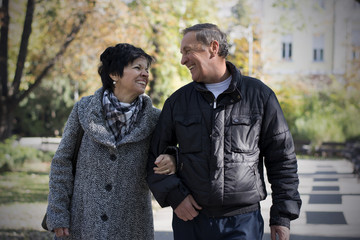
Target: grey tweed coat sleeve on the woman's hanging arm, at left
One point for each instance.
(61, 177)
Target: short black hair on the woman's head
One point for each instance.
(114, 59)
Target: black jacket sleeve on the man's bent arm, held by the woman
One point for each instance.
(168, 190)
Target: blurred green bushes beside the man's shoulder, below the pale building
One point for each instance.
(330, 113)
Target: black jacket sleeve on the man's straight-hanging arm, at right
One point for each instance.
(278, 150)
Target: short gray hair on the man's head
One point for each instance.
(208, 32)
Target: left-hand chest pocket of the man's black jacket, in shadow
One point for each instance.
(188, 132)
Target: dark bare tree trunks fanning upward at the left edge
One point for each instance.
(10, 98)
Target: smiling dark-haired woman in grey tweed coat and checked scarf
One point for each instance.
(108, 197)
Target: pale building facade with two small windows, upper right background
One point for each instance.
(307, 38)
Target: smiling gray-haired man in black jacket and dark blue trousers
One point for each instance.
(226, 126)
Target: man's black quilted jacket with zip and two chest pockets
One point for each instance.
(222, 151)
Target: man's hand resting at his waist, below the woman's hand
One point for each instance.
(188, 209)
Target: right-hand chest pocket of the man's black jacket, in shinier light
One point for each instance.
(245, 131)
